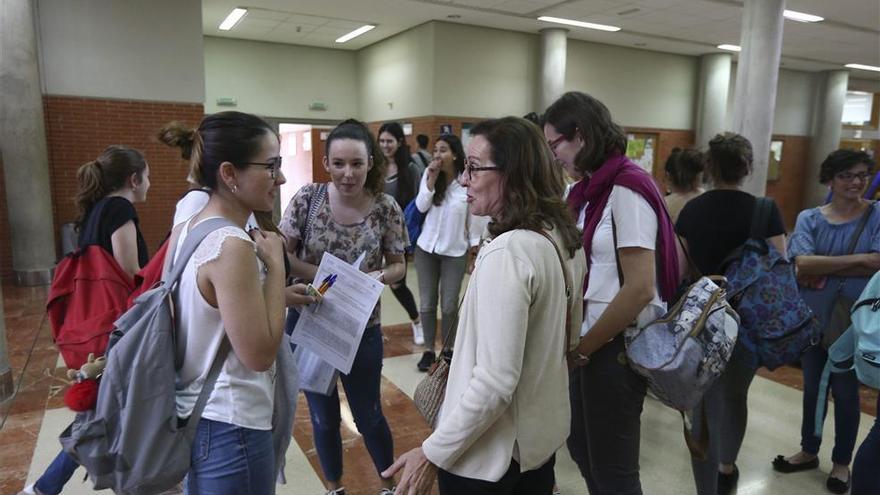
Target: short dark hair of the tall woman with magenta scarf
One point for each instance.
(575, 111)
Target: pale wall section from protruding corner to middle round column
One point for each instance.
(481, 72)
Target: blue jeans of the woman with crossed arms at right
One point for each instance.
(845, 389)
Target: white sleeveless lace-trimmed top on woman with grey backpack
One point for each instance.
(240, 397)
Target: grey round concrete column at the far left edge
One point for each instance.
(23, 143)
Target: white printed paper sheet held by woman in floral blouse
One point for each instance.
(333, 329)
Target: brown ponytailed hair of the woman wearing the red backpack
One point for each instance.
(104, 175)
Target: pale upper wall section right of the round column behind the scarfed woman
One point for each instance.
(641, 88)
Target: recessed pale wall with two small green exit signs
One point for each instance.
(280, 80)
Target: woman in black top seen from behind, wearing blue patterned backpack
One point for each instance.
(711, 226)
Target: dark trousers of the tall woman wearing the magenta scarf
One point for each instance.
(612, 396)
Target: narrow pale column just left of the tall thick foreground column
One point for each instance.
(712, 97)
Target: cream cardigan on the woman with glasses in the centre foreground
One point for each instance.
(507, 394)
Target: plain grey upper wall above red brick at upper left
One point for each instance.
(134, 49)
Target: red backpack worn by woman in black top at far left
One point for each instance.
(88, 293)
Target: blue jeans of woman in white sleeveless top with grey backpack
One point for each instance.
(231, 460)
